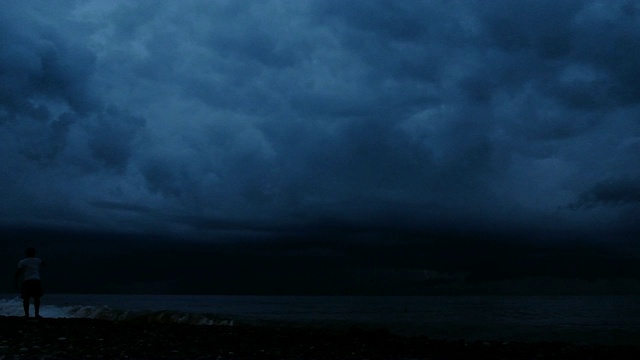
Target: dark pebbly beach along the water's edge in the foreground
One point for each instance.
(96, 339)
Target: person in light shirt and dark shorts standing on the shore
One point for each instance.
(29, 270)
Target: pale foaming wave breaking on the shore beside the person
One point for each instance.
(13, 307)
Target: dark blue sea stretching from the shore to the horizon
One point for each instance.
(596, 320)
